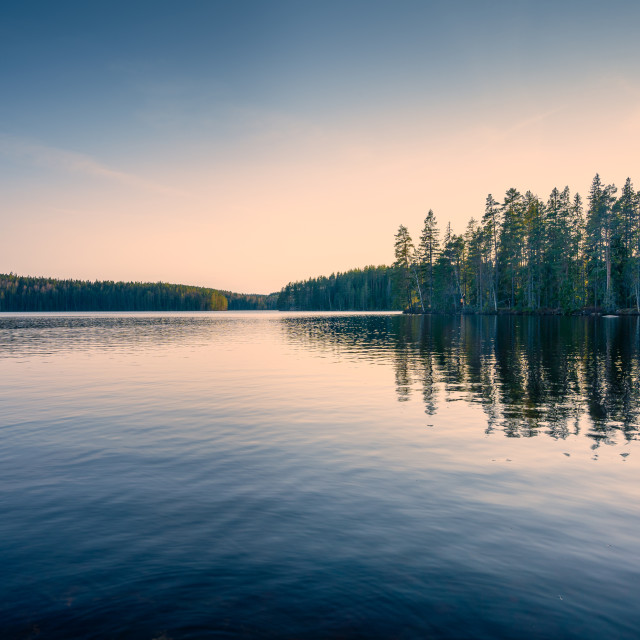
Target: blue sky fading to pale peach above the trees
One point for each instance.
(242, 145)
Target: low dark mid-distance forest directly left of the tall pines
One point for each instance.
(368, 289)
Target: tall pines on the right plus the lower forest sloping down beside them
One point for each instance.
(523, 255)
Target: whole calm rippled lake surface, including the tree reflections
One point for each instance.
(319, 476)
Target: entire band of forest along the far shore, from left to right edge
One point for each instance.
(524, 255)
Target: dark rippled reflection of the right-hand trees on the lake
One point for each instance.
(531, 375)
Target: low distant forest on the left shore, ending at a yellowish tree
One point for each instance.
(19, 293)
